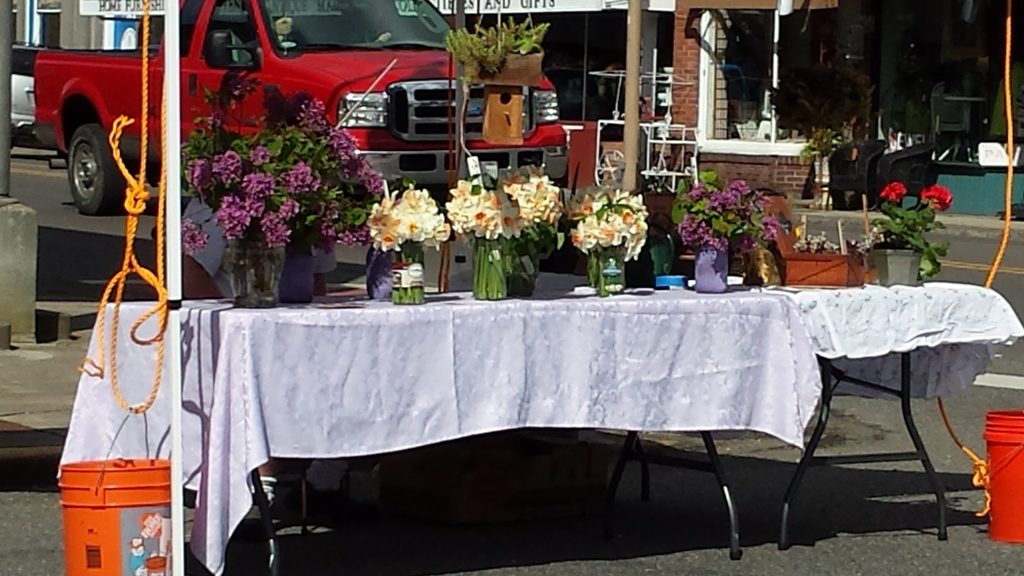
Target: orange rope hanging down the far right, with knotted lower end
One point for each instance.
(983, 473)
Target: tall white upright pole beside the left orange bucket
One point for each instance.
(173, 163)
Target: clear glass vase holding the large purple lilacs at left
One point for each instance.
(254, 271)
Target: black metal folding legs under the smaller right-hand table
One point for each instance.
(831, 379)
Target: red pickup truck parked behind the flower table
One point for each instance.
(333, 50)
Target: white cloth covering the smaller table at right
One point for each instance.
(950, 330)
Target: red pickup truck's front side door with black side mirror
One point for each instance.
(229, 52)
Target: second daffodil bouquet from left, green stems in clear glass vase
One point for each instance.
(490, 219)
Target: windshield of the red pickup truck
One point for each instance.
(325, 25)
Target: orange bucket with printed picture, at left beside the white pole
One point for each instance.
(117, 518)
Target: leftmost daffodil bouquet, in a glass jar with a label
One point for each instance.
(407, 225)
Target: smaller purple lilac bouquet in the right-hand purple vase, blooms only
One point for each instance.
(723, 217)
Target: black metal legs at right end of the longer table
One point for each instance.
(633, 450)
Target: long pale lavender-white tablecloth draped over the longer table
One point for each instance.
(320, 383)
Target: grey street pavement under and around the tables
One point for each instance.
(849, 521)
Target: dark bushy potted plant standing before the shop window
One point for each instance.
(829, 105)
